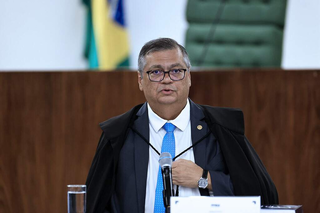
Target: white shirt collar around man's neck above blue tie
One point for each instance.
(181, 121)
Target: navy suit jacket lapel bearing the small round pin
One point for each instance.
(199, 129)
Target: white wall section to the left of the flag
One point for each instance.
(41, 34)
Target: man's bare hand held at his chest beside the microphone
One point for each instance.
(186, 173)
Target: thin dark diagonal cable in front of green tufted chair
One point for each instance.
(211, 33)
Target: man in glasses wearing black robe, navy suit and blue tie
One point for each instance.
(212, 154)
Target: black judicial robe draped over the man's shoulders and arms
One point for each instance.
(248, 174)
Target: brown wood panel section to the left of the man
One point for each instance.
(49, 132)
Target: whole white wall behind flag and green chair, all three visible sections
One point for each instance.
(50, 34)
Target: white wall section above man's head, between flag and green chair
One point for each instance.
(153, 19)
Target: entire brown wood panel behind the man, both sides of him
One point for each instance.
(49, 128)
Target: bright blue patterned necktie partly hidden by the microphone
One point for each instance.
(168, 145)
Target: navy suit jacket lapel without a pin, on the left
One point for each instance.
(141, 154)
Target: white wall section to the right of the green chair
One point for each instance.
(302, 35)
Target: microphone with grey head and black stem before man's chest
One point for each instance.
(165, 162)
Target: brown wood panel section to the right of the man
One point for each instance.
(282, 117)
